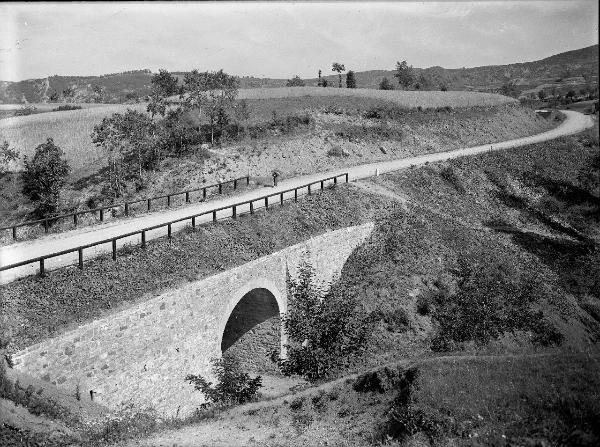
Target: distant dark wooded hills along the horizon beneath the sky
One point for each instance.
(572, 69)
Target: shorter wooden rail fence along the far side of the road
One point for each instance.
(126, 206)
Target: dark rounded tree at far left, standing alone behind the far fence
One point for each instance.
(44, 175)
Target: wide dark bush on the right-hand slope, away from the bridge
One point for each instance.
(494, 297)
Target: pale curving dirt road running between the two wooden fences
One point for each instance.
(575, 122)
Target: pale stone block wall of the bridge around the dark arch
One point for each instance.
(143, 352)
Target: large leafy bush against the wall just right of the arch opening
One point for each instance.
(325, 327)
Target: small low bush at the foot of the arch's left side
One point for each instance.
(233, 386)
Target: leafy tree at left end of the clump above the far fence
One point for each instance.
(130, 140)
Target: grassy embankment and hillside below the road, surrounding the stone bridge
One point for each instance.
(455, 243)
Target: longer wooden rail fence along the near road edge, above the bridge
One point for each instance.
(193, 217)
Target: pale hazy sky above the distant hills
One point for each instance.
(283, 39)
